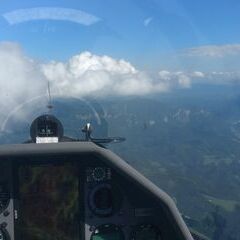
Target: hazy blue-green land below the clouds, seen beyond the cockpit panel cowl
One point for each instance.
(187, 142)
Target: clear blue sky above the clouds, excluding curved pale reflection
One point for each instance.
(148, 33)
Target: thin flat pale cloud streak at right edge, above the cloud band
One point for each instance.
(214, 51)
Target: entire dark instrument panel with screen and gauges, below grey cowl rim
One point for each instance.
(63, 198)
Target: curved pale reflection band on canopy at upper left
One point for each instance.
(50, 13)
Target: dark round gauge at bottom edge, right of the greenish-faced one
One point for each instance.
(146, 232)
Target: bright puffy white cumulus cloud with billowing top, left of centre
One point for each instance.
(89, 74)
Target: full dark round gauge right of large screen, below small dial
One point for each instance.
(104, 200)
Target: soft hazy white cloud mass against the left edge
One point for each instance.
(20, 78)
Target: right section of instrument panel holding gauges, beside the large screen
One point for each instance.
(113, 213)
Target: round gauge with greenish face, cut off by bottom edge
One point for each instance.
(107, 232)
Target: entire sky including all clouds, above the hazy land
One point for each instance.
(106, 48)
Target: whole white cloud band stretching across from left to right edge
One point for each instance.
(22, 79)
